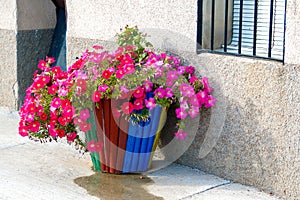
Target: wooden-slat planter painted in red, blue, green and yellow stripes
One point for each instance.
(127, 147)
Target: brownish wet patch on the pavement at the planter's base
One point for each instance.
(111, 187)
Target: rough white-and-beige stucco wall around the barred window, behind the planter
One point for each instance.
(253, 132)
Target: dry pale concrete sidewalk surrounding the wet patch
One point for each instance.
(30, 170)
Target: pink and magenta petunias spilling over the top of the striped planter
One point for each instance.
(140, 79)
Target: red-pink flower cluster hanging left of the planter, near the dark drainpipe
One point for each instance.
(47, 112)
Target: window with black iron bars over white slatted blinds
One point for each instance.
(242, 27)
